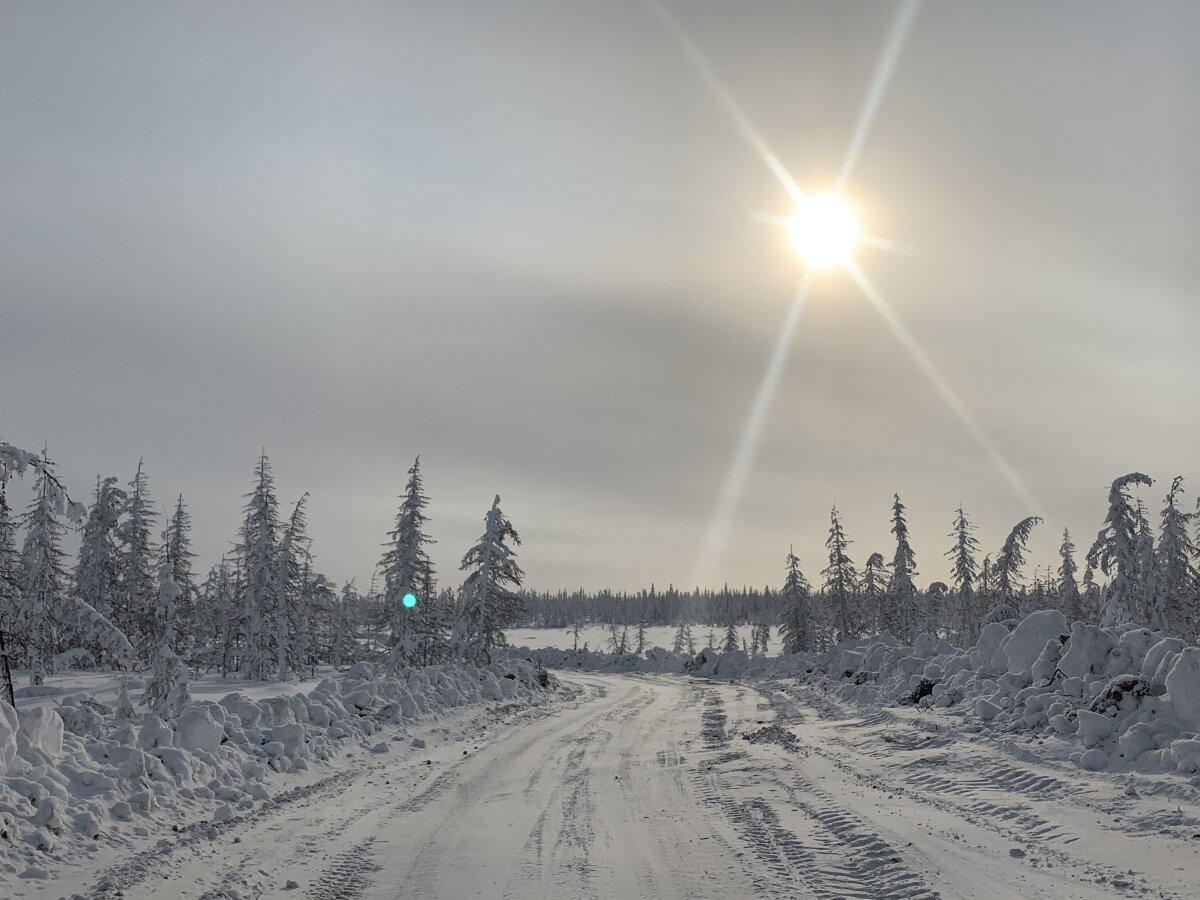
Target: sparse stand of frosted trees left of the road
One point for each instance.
(135, 599)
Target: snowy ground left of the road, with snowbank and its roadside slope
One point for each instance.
(89, 790)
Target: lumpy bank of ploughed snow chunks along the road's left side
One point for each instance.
(81, 771)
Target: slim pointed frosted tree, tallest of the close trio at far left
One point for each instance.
(134, 604)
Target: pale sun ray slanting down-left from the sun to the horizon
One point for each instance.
(718, 532)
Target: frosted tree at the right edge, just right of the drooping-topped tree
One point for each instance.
(1175, 608)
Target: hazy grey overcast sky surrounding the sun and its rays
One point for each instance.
(519, 239)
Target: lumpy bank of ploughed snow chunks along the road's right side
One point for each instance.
(1127, 698)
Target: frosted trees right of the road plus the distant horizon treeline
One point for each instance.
(1133, 573)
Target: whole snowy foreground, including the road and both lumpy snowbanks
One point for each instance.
(1048, 761)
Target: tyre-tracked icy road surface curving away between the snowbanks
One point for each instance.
(647, 788)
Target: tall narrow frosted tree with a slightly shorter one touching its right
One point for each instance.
(257, 563)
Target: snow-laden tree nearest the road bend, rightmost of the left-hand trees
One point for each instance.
(488, 602)
